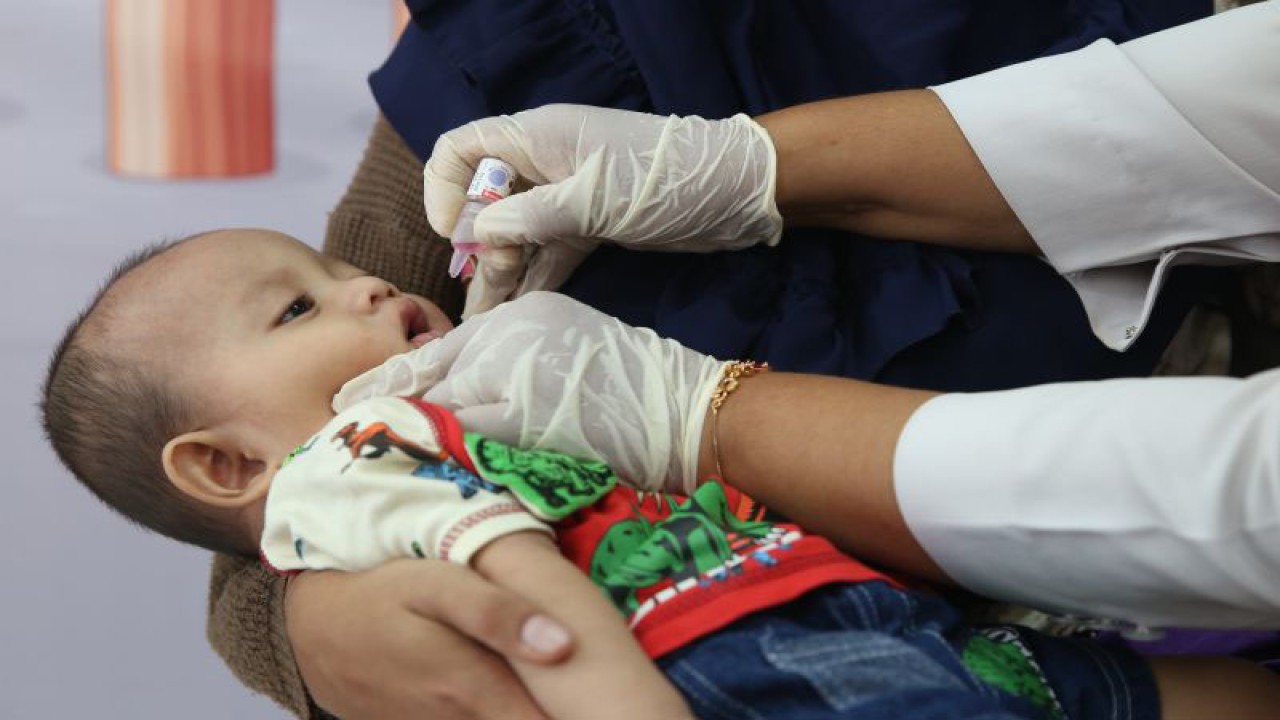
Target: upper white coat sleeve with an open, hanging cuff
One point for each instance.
(1126, 161)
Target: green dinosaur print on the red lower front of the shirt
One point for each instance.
(696, 539)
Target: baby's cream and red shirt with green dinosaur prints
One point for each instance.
(400, 477)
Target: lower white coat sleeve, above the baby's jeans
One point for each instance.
(1150, 500)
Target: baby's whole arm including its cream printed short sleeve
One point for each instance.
(376, 485)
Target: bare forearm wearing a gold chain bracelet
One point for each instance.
(821, 452)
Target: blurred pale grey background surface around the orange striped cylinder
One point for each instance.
(98, 619)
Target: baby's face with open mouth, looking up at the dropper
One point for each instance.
(267, 330)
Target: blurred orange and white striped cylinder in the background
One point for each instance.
(190, 88)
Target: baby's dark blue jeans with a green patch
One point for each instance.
(871, 651)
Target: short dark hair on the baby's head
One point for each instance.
(109, 420)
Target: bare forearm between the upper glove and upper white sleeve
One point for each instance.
(892, 165)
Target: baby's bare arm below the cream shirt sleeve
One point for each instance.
(609, 676)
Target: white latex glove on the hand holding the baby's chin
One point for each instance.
(547, 372)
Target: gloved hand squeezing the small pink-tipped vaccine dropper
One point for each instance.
(647, 183)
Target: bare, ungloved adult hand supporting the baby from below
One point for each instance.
(417, 639)
